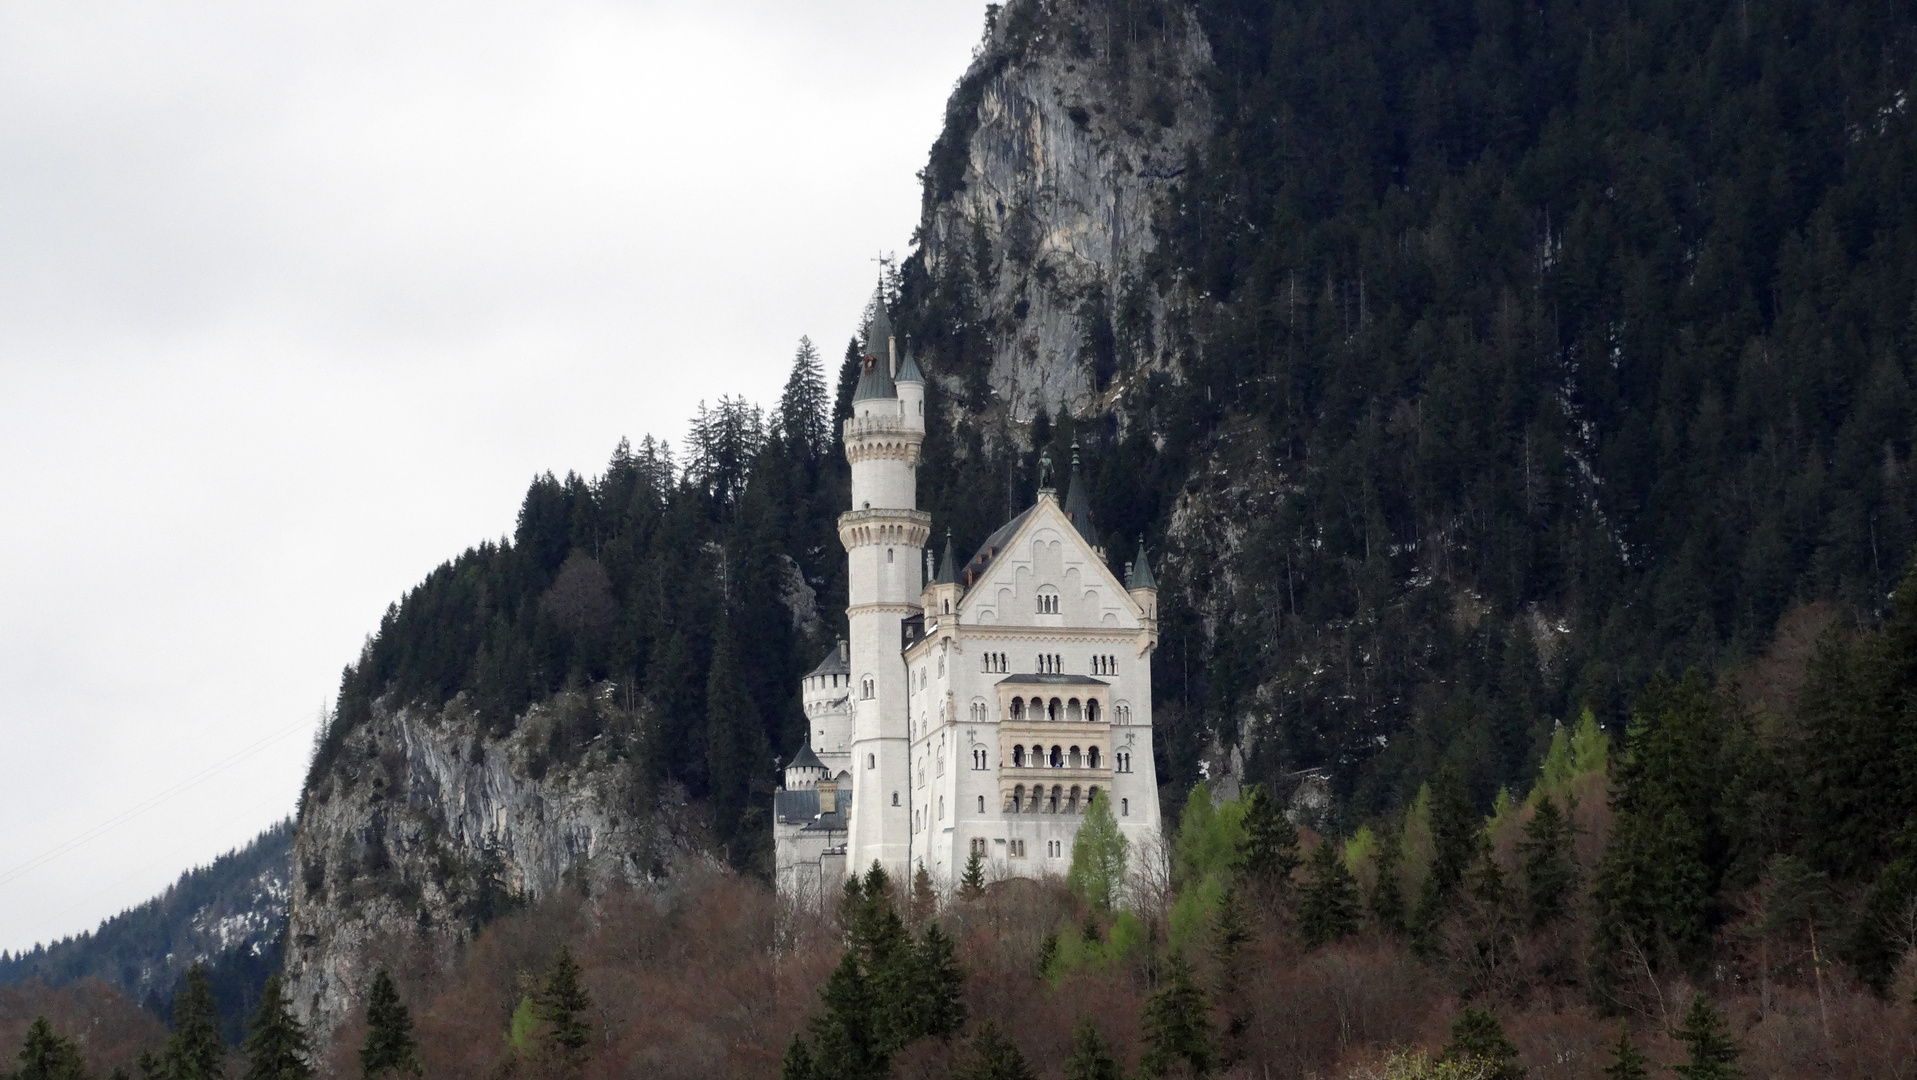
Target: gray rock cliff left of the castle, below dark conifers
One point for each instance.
(425, 826)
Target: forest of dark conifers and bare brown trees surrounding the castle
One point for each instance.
(1559, 364)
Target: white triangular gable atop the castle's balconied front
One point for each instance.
(1046, 557)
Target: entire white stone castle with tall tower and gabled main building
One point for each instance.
(977, 713)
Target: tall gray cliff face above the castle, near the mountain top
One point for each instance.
(1076, 139)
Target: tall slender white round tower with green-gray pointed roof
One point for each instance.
(885, 538)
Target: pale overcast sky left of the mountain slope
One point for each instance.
(294, 302)
